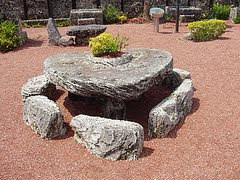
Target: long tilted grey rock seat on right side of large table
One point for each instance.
(166, 115)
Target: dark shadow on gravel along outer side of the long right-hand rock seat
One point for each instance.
(195, 107)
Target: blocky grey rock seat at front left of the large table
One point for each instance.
(44, 117)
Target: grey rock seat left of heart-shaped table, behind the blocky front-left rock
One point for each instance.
(39, 85)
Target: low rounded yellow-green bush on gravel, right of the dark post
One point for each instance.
(207, 30)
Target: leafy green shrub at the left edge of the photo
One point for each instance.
(9, 38)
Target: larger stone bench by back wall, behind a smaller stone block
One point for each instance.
(76, 14)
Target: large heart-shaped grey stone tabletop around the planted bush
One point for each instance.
(123, 78)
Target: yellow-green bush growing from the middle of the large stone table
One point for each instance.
(105, 44)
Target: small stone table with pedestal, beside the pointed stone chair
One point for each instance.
(85, 32)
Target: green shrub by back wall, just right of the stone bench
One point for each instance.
(111, 14)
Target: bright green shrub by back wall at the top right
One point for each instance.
(220, 11)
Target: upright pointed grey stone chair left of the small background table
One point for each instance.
(54, 37)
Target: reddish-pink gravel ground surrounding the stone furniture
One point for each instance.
(206, 146)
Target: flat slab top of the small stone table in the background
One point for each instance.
(92, 30)
